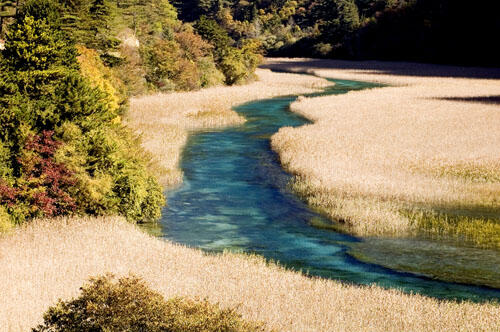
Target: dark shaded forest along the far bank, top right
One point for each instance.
(439, 31)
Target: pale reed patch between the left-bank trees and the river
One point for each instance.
(164, 120)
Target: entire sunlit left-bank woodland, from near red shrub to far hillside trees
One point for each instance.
(67, 69)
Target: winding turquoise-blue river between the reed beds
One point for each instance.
(235, 197)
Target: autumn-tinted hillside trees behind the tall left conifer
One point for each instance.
(148, 46)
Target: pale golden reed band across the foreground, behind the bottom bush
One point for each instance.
(51, 259)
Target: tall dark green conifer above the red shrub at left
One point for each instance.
(40, 84)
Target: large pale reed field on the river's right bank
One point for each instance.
(422, 153)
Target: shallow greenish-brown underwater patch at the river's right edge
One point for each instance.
(447, 261)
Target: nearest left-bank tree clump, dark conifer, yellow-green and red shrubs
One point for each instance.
(63, 148)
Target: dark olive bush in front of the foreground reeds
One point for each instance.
(129, 305)
